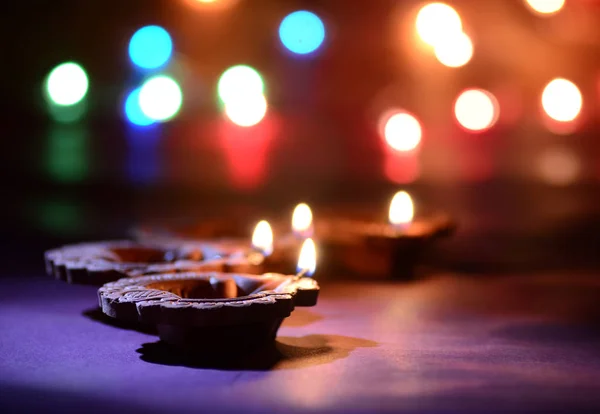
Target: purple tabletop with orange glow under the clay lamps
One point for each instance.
(449, 344)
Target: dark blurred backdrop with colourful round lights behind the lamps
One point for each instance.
(125, 112)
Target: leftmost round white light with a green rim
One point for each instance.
(67, 84)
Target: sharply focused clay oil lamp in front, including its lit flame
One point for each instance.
(213, 310)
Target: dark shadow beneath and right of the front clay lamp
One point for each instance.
(286, 353)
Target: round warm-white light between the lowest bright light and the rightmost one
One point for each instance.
(476, 110)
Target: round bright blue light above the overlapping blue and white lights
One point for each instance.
(150, 47)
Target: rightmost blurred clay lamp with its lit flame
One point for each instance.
(381, 249)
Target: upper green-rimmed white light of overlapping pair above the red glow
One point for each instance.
(239, 82)
